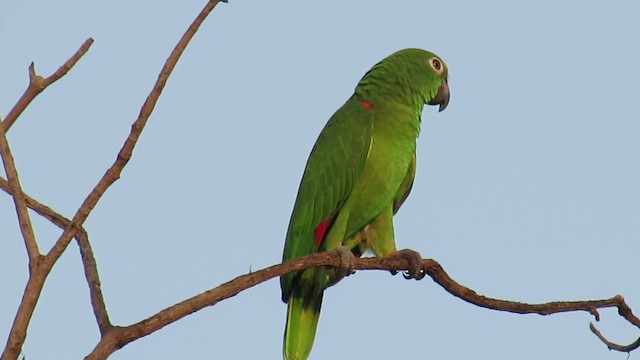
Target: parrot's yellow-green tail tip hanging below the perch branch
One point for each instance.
(302, 321)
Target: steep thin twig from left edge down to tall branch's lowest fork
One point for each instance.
(19, 201)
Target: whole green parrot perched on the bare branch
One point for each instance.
(359, 173)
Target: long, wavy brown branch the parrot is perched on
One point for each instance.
(119, 336)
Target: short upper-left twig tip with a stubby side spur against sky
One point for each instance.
(37, 84)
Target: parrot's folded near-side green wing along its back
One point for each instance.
(335, 163)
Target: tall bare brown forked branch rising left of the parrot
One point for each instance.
(44, 264)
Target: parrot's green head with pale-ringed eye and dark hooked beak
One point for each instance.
(422, 77)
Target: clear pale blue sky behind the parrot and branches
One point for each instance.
(527, 185)
